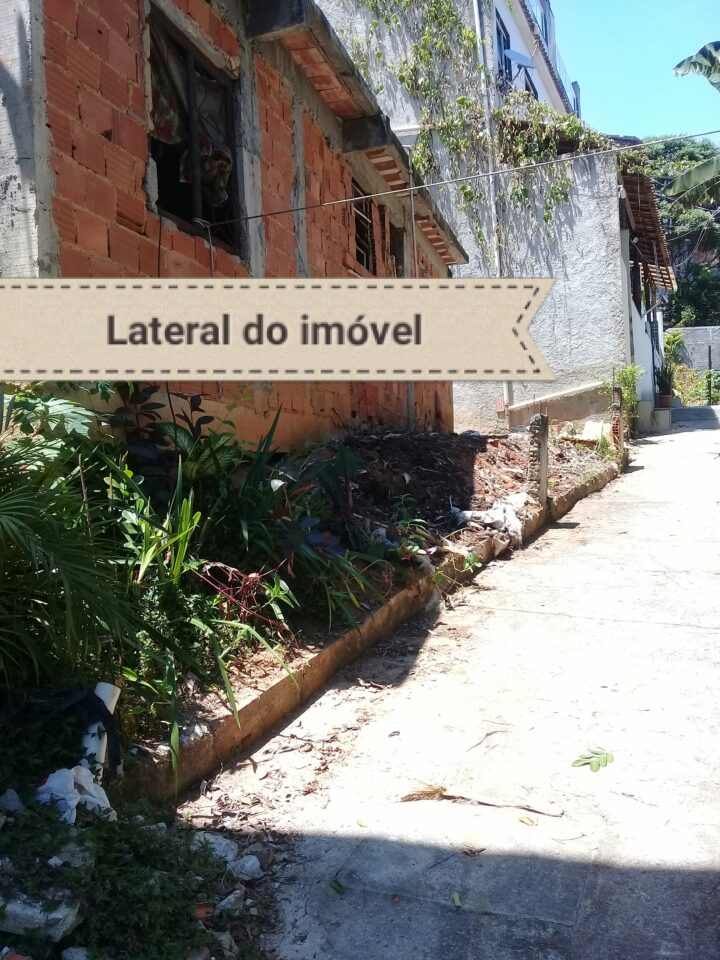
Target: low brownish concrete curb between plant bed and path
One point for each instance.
(212, 743)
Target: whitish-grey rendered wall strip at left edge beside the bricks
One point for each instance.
(26, 239)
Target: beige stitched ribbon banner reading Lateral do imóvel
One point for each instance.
(271, 329)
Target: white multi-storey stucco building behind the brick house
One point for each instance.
(604, 246)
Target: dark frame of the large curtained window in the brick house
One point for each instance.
(194, 58)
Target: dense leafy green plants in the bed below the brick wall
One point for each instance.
(138, 549)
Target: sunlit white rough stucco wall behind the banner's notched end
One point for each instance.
(581, 327)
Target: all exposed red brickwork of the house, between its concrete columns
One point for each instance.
(96, 115)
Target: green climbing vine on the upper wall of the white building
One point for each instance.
(441, 72)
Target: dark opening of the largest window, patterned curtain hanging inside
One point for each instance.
(192, 137)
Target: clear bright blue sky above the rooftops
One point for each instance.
(622, 53)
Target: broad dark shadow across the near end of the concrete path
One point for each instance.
(386, 900)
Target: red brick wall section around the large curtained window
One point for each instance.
(99, 137)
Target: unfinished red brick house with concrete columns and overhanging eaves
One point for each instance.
(167, 138)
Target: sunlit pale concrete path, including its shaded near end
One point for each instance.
(603, 633)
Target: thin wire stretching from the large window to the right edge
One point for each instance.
(527, 168)
